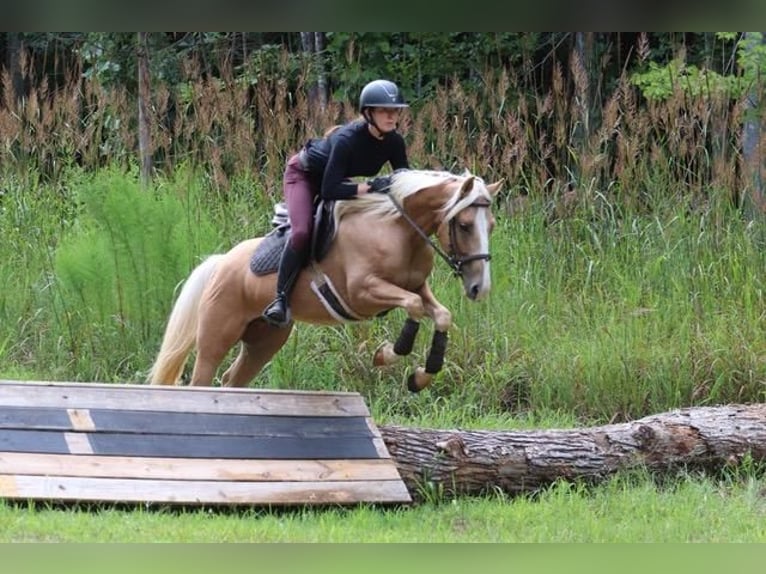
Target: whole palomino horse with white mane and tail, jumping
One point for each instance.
(381, 257)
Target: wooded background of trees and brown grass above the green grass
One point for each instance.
(519, 76)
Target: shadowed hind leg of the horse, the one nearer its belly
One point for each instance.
(259, 343)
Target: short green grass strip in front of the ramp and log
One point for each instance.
(630, 508)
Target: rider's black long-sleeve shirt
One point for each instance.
(352, 151)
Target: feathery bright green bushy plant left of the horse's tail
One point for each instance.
(116, 272)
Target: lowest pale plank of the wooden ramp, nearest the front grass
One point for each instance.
(201, 492)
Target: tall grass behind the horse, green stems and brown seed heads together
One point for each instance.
(625, 280)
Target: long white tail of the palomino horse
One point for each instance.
(181, 332)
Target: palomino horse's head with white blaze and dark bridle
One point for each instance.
(465, 232)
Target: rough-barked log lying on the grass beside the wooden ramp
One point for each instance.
(476, 462)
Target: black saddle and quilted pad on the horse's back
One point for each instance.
(265, 258)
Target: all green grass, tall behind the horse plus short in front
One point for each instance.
(590, 320)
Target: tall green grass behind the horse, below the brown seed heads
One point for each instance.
(609, 314)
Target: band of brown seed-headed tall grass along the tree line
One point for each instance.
(243, 125)
